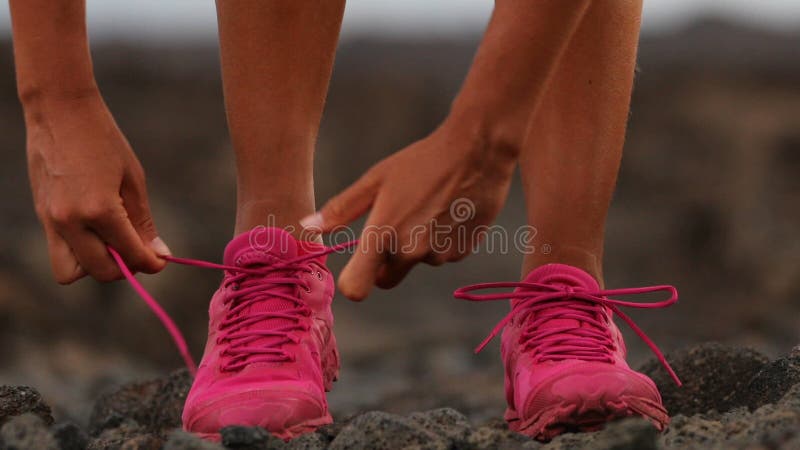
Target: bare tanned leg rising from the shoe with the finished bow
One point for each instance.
(572, 152)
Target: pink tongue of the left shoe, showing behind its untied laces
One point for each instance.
(262, 248)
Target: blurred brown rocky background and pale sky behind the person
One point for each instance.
(708, 197)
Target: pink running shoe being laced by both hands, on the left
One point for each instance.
(271, 353)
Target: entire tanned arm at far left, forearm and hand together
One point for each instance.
(88, 186)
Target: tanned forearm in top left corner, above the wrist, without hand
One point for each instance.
(51, 50)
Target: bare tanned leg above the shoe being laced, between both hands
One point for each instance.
(276, 63)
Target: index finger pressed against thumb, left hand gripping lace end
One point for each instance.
(117, 231)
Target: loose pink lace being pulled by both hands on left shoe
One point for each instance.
(233, 327)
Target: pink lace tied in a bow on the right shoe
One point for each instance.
(591, 343)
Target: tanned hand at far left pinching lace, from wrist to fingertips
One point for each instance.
(89, 190)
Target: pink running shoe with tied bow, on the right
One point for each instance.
(564, 357)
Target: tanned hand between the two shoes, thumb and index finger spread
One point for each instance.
(411, 195)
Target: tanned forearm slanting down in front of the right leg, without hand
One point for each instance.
(519, 52)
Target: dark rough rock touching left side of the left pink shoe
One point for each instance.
(155, 404)
